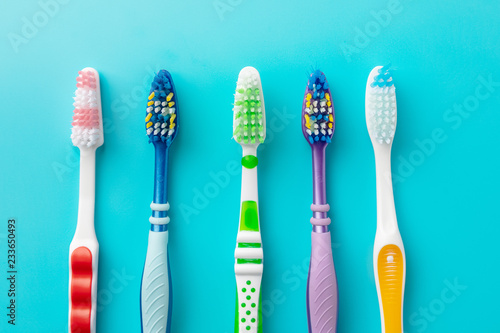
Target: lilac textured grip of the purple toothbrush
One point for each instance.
(322, 293)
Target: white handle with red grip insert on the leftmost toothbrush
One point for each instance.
(83, 286)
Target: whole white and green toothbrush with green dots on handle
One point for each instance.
(249, 128)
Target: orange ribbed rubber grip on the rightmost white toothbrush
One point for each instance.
(390, 265)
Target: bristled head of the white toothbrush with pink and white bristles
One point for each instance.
(87, 130)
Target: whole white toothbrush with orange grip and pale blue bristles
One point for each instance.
(388, 252)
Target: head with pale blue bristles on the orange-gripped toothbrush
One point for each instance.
(380, 105)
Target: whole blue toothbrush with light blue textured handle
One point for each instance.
(161, 128)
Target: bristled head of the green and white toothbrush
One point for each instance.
(249, 121)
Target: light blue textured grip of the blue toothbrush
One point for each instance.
(155, 286)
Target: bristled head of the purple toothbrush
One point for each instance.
(318, 116)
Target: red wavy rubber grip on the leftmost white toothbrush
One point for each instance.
(81, 290)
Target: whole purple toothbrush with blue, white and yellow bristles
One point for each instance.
(318, 124)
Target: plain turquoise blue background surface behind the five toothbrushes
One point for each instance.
(446, 190)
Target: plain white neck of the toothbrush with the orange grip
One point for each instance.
(386, 213)
